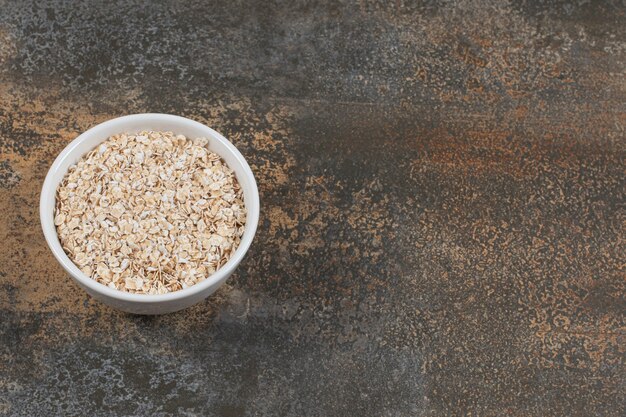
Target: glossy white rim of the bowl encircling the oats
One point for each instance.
(50, 234)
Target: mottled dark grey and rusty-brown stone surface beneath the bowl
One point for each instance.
(442, 227)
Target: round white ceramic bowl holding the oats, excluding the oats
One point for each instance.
(140, 303)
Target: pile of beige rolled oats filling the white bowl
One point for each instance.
(150, 213)
